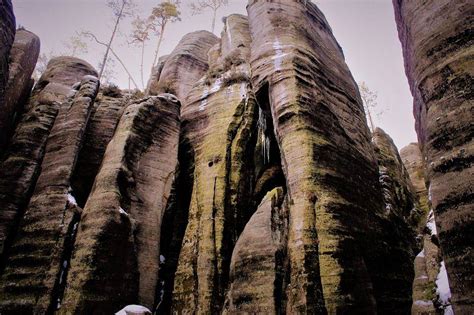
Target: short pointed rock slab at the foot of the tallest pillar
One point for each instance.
(257, 271)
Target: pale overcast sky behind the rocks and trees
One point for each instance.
(365, 29)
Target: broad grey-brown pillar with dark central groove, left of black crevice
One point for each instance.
(123, 214)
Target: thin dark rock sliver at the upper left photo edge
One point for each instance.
(7, 35)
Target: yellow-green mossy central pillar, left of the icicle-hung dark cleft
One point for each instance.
(219, 119)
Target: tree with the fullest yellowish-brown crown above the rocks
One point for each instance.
(167, 11)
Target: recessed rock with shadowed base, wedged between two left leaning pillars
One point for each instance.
(104, 119)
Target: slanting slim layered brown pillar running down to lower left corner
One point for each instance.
(36, 267)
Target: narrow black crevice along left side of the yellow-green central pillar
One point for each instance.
(175, 221)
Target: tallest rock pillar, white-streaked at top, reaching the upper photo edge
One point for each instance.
(325, 152)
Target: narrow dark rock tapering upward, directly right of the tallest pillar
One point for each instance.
(402, 214)
